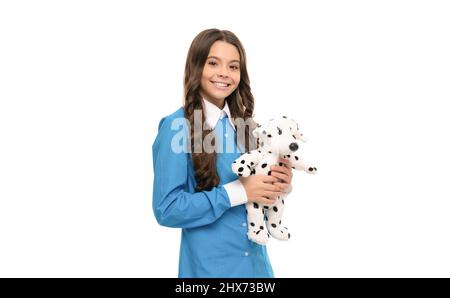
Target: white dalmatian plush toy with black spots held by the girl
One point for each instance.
(278, 137)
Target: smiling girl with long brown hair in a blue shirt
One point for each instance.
(194, 188)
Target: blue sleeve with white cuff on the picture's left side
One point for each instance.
(173, 206)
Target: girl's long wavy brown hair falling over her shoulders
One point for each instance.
(240, 102)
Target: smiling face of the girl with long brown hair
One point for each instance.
(221, 66)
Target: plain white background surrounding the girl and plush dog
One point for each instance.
(83, 85)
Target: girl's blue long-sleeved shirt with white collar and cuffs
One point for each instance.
(214, 239)
